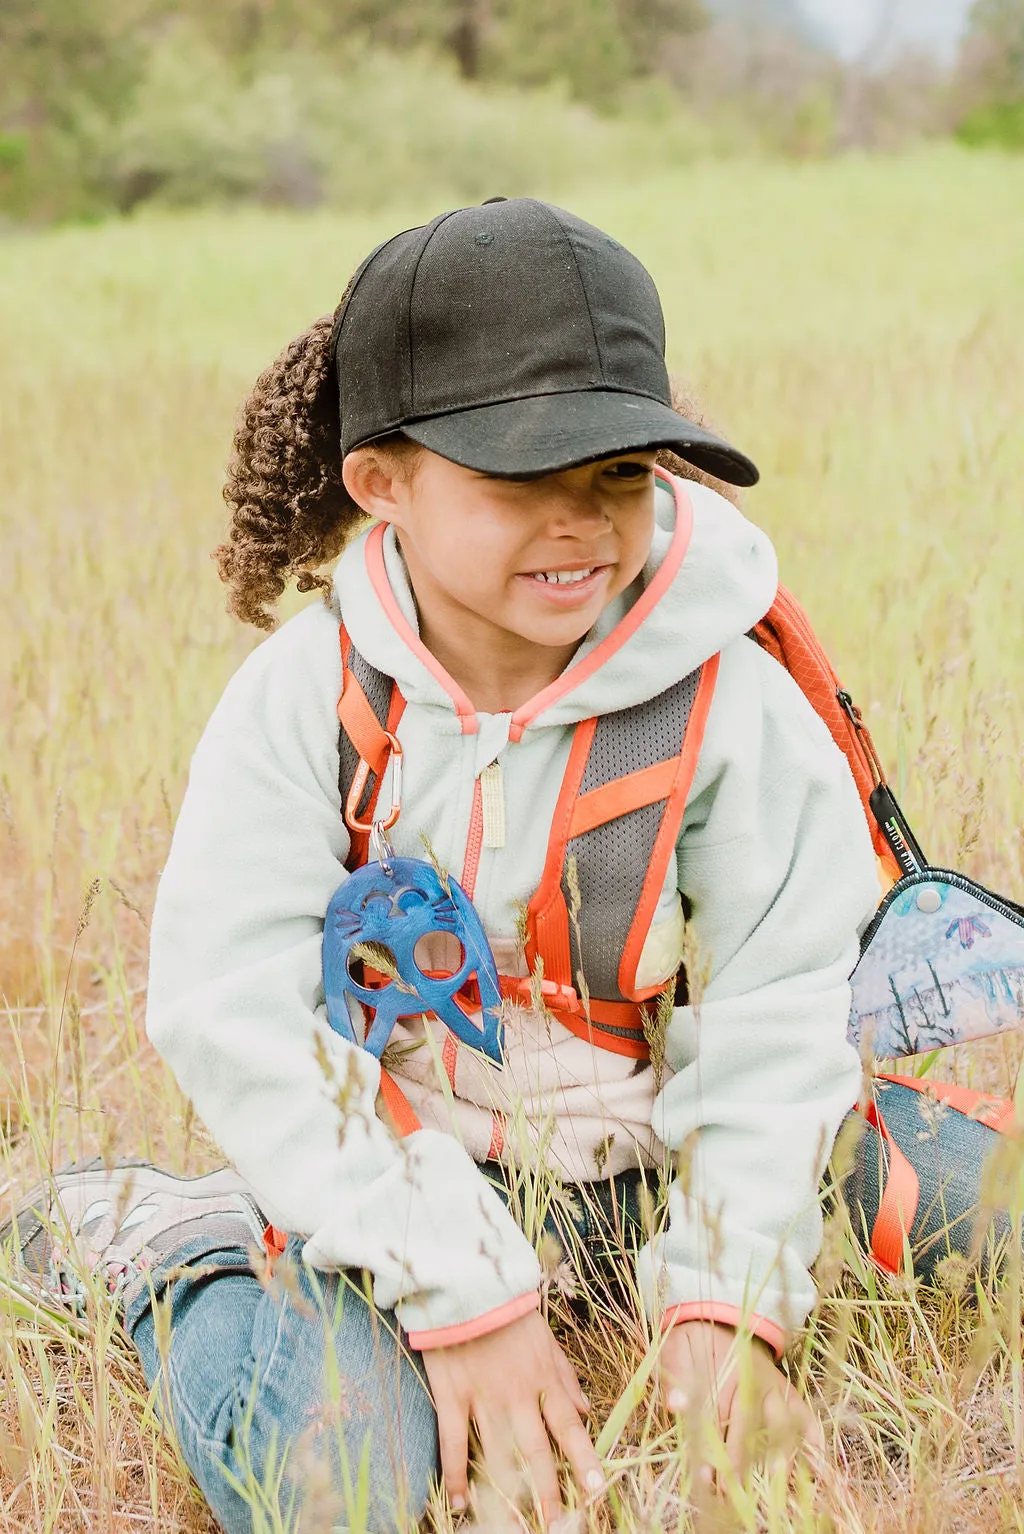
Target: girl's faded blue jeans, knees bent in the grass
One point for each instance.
(301, 1398)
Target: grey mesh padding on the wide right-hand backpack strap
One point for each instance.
(614, 858)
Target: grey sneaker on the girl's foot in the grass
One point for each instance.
(122, 1222)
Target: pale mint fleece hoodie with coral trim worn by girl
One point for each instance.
(773, 858)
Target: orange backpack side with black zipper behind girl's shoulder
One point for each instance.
(786, 633)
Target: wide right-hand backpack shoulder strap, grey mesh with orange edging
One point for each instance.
(608, 858)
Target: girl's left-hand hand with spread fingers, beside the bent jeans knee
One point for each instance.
(517, 1388)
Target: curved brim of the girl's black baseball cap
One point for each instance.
(556, 432)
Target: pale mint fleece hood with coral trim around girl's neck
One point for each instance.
(709, 579)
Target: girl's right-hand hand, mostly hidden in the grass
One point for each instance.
(755, 1414)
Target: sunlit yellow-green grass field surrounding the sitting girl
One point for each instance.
(859, 329)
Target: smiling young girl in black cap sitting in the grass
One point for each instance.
(481, 433)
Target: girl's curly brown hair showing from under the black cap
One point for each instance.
(290, 510)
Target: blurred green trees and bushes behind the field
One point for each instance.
(107, 105)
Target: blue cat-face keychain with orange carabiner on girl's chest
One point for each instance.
(393, 904)
